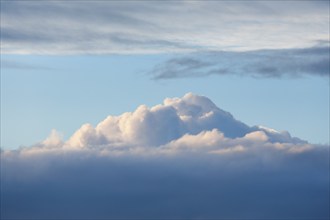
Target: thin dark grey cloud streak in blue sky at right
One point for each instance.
(279, 63)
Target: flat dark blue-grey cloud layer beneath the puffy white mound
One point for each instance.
(82, 186)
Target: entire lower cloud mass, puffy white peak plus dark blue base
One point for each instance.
(185, 158)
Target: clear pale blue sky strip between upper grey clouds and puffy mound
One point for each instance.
(63, 92)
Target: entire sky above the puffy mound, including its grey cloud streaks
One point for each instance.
(81, 62)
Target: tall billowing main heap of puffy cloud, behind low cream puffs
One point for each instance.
(163, 123)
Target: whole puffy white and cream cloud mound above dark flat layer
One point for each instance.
(177, 125)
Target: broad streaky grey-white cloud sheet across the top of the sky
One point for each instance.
(147, 27)
